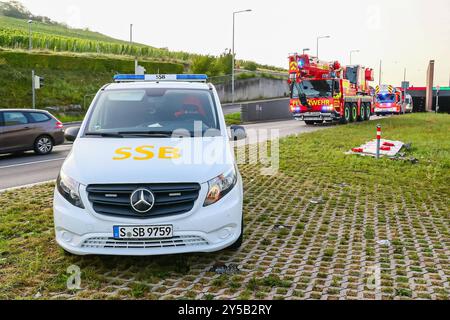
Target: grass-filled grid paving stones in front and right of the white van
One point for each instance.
(300, 246)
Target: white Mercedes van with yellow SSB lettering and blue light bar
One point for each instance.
(151, 172)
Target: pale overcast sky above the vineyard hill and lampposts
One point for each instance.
(403, 33)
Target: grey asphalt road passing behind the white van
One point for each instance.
(28, 168)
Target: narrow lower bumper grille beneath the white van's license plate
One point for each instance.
(109, 243)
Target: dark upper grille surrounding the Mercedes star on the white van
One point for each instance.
(170, 199)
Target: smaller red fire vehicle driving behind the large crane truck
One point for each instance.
(388, 100)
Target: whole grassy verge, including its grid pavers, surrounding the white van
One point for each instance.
(323, 250)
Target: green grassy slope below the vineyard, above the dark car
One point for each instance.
(68, 78)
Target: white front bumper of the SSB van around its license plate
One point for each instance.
(203, 229)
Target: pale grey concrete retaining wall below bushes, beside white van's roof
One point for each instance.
(253, 89)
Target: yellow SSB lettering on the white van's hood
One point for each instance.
(147, 153)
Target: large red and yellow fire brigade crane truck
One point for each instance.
(326, 91)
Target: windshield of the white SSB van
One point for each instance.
(153, 111)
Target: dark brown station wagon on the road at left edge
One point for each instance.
(24, 130)
